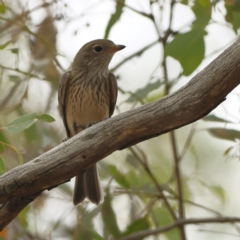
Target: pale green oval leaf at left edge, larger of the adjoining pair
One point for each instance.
(21, 123)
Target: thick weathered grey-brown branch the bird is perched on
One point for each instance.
(190, 103)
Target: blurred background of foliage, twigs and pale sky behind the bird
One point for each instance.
(167, 43)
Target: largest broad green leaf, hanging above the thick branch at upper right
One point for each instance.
(188, 48)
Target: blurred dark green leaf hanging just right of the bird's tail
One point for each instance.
(109, 217)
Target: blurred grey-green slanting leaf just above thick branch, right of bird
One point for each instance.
(142, 93)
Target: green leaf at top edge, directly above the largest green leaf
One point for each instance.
(202, 10)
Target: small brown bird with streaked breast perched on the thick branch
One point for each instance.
(87, 94)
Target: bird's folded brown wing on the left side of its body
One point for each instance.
(62, 91)
